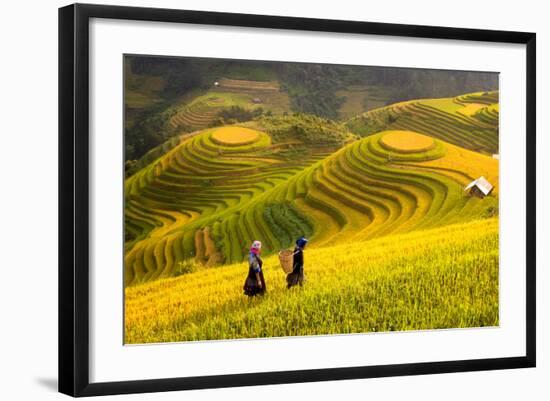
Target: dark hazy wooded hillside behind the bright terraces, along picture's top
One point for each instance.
(167, 96)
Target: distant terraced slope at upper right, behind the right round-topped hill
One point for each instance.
(449, 119)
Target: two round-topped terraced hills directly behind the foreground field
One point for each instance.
(205, 191)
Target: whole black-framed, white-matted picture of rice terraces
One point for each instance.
(290, 200)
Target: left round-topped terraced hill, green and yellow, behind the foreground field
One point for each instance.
(202, 184)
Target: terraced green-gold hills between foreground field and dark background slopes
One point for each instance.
(201, 199)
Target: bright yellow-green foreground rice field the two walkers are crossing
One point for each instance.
(434, 279)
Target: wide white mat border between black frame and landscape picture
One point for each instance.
(111, 362)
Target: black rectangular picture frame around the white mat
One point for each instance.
(74, 198)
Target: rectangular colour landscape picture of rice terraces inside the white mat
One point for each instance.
(372, 165)
